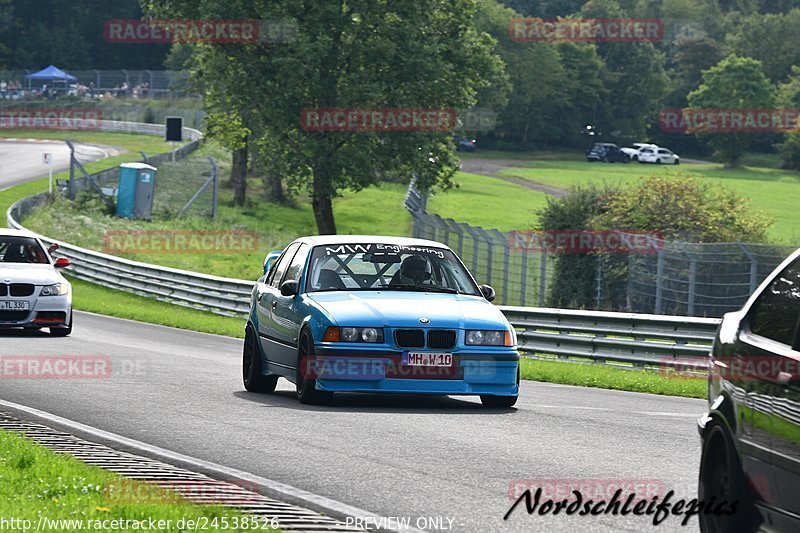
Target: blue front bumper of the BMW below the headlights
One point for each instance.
(383, 371)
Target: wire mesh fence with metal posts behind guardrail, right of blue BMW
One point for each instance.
(687, 279)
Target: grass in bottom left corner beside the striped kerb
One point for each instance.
(37, 482)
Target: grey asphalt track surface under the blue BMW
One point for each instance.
(396, 456)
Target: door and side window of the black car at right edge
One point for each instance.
(771, 333)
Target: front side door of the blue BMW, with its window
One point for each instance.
(286, 316)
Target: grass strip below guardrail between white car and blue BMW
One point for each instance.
(104, 301)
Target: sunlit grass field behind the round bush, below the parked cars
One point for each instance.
(770, 190)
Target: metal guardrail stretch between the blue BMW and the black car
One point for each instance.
(637, 339)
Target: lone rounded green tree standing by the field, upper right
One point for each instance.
(734, 83)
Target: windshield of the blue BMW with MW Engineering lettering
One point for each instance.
(376, 266)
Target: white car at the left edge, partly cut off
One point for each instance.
(33, 294)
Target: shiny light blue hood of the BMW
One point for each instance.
(404, 309)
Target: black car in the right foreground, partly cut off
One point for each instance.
(751, 433)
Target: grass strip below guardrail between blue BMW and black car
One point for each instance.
(609, 377)
